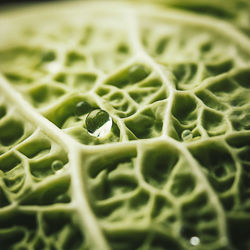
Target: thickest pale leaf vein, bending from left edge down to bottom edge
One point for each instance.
(88, 219)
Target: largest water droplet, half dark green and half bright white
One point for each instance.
(98, 123)
